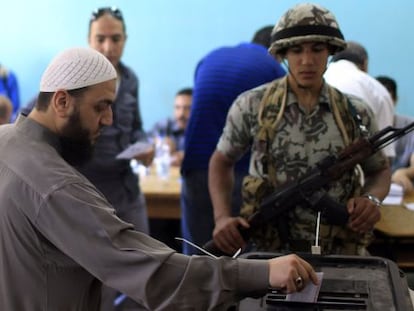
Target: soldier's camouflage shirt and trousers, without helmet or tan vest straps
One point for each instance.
(300, 140)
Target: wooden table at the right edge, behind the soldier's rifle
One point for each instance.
(395, 233)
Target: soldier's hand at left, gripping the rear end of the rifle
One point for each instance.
(226, 234)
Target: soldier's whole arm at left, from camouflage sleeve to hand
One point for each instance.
(234, 142)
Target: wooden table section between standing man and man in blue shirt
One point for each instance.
(162, 195)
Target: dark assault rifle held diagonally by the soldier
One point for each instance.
(312, 187)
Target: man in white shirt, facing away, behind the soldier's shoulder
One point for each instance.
(348, 73)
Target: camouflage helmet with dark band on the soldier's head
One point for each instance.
(303, 23)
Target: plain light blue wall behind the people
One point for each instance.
(166, 38)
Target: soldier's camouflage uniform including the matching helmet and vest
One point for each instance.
(286, 141)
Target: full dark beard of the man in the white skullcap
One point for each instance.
(76, 147)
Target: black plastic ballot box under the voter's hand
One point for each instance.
(349, 283)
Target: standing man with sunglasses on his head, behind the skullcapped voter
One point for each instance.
(114, 177)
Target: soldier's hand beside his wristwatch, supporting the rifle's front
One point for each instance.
(363, 214)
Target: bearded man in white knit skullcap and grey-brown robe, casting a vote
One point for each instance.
(60, 238)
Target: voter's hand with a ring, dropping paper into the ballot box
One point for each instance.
(290, 273)
